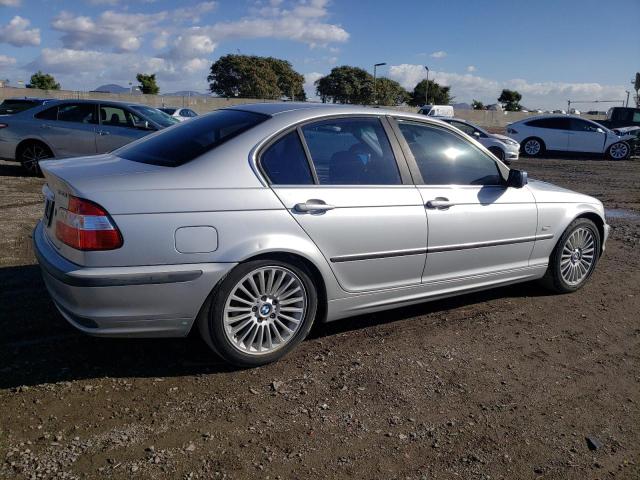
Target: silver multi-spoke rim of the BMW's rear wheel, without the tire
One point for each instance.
(265, 310)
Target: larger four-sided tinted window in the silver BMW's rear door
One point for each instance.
(351, 151)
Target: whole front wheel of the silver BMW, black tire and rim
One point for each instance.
(568, 270)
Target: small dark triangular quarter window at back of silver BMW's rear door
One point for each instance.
(285, 162)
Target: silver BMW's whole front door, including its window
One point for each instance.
(477, 225)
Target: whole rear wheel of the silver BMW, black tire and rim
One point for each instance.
(248, 323)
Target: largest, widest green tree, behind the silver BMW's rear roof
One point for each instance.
(251, 76)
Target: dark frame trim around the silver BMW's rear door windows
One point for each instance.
(401, 162)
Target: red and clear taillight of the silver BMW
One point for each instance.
(84, 225)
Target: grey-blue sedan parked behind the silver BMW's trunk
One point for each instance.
(70, 128)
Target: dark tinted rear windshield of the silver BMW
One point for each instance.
(191, 139)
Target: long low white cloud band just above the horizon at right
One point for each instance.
(465, 87)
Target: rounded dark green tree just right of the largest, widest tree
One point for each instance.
(346, 84)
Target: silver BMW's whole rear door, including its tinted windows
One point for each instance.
(341, 182)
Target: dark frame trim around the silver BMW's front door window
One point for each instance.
(413, 164)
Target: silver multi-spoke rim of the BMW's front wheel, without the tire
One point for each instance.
(578, 256)
